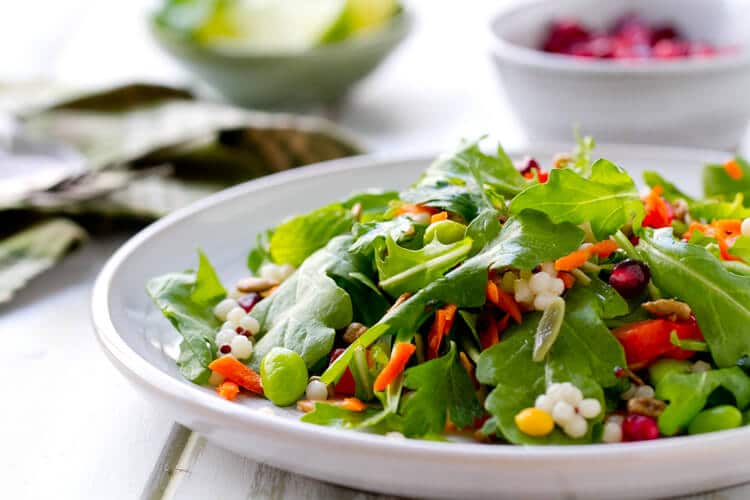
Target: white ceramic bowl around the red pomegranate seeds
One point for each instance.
(698, 102)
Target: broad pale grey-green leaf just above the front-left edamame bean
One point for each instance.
(307, 309)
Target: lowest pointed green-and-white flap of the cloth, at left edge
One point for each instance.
(28, 253)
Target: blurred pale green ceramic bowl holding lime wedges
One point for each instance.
(257, 79)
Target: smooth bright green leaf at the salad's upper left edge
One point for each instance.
(297, 238)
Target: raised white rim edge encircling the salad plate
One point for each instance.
(138, 370)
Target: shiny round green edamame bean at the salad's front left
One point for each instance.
(284, 376)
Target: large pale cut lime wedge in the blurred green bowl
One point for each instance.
(270, 25)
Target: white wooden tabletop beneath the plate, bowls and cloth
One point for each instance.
(71, 427)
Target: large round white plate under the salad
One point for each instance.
(142, 344)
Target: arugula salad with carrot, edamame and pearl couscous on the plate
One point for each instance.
(509, 302)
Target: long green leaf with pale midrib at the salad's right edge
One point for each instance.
(719, 298)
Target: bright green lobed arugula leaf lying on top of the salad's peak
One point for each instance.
(608, 199)
